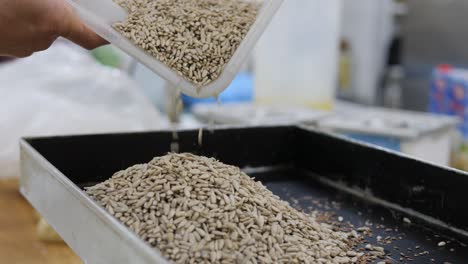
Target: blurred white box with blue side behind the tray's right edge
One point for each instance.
(425, 136)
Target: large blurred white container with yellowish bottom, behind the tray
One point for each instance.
(296, 59)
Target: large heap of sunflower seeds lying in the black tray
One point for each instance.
(198, 210)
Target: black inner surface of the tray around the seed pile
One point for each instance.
(290, 161)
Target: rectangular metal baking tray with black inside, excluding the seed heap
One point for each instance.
(416, 203)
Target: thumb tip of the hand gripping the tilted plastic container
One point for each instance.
(77, 32)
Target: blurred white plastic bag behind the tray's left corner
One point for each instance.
(64, 91)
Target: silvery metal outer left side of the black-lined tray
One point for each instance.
(95, 219)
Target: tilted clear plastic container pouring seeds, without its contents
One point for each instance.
(100, 15)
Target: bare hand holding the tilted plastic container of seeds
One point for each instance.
(27, 26)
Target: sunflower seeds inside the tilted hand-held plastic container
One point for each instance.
(196, 38)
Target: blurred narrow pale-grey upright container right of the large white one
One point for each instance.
(367, 26)
